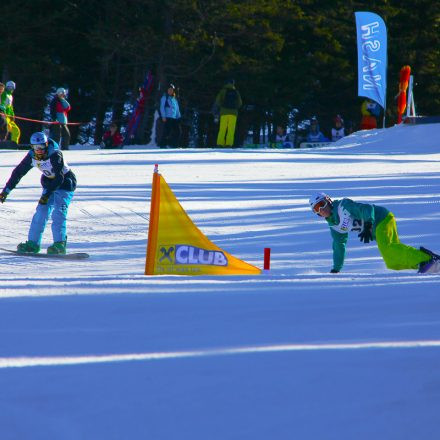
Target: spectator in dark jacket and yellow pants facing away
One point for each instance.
(229, 102)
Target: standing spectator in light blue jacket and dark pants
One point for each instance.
(170, 114)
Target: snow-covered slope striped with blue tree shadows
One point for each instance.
(97, 350)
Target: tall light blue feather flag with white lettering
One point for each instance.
(372, 57)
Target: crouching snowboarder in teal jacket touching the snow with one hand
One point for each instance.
(371, 222)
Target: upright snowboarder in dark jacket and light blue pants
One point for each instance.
(58, 182)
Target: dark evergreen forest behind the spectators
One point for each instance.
(283, 55)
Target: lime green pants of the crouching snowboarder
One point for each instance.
(397, 256)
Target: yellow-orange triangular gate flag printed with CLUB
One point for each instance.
(177, 247)
